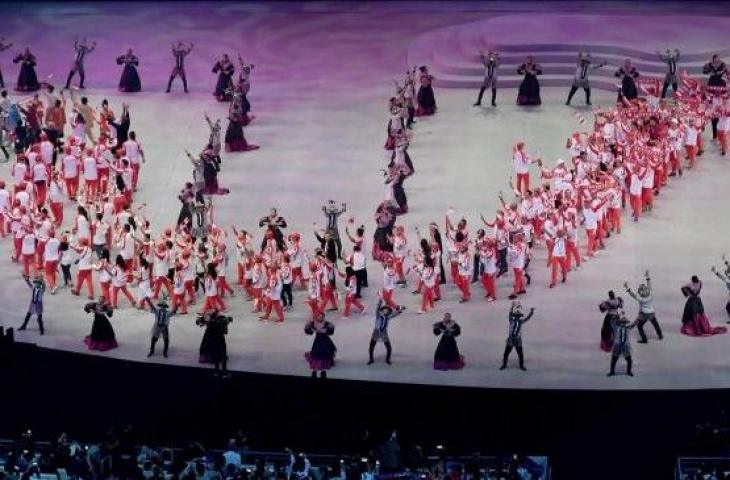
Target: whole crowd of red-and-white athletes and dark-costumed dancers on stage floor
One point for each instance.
(616, 168)
